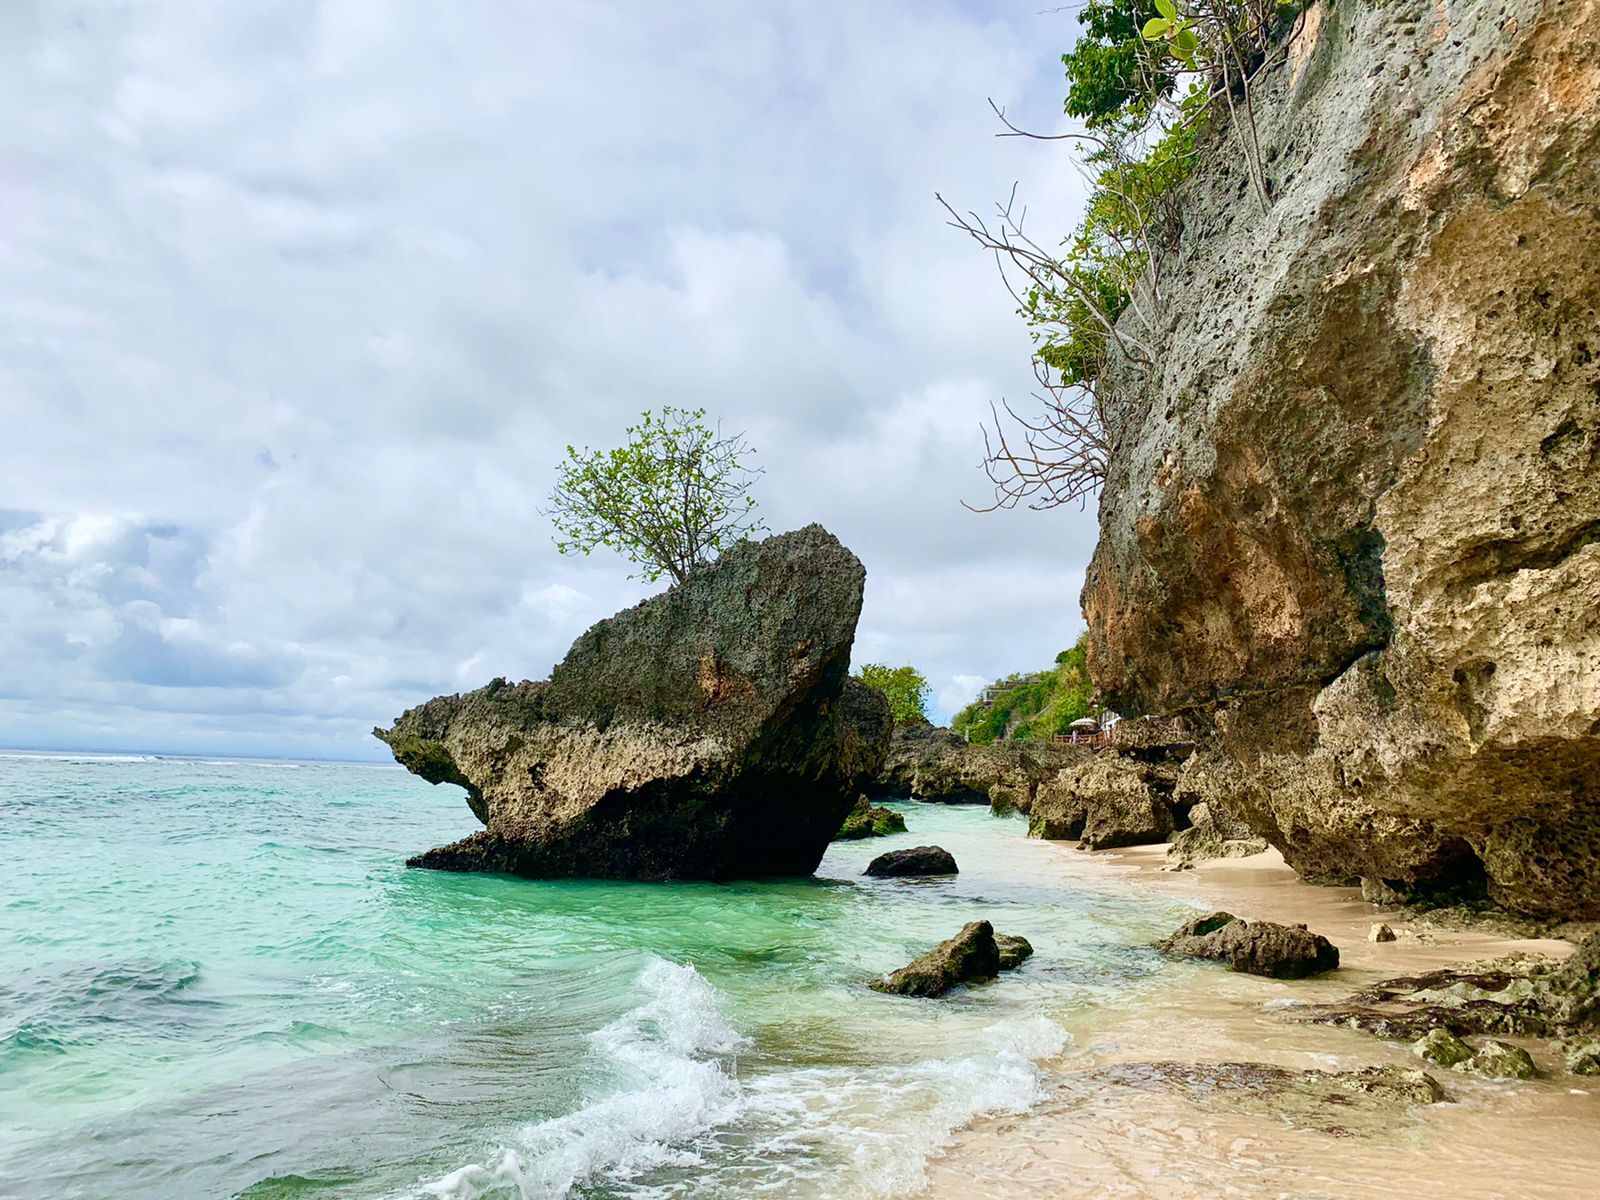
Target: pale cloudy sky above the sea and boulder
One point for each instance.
(302, 302)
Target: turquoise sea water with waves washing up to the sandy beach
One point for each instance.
(218, 978)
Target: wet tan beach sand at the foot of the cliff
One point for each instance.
(1094, 1137)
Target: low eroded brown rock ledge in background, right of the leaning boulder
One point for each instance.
(934, 764)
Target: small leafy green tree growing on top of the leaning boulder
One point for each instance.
(674, 497)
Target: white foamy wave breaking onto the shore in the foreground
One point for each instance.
(674, 1100)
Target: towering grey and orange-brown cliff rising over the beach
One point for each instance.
(1351, 524)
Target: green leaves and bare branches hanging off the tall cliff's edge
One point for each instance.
(1146, 79)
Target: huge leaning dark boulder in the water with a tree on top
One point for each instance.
(711, 732)
